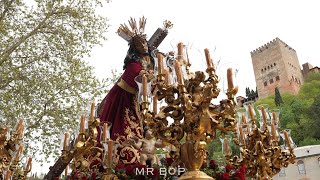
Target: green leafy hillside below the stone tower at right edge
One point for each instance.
(301, 112)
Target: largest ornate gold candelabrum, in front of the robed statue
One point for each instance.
(188, 104)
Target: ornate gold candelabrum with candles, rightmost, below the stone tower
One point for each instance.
(260, 149)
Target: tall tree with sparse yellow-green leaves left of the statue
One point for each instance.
(44, 79)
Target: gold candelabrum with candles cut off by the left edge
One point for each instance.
(10, 154)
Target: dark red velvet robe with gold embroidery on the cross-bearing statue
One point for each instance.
(121, 106)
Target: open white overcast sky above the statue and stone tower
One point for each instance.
(230, 29)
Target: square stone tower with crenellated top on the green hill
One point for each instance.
(276, 64)
